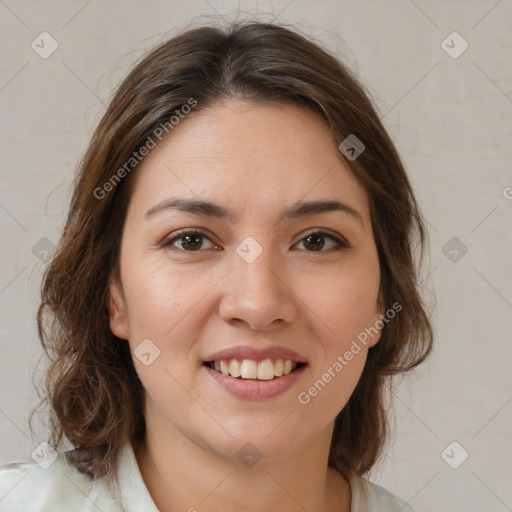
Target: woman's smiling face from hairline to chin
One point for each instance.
(247, 284)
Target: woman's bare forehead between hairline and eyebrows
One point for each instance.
(255, 157)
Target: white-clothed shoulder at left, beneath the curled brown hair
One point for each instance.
(53, 485)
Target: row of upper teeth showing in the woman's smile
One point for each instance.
(249, 369)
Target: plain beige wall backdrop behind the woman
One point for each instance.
(447, 101)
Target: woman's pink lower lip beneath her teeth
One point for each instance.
(256, 389)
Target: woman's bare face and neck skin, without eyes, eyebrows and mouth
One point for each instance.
(256, 160)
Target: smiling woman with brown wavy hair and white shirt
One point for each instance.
(234, 286)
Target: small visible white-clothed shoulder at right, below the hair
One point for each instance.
(370, 497)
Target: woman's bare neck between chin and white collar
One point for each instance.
(181, 475)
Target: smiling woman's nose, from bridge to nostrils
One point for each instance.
(258, 294)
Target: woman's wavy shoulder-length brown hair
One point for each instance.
(94, 394)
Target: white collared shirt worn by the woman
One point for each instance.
(29, 487)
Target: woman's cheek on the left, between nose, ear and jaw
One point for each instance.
(168, 305)
